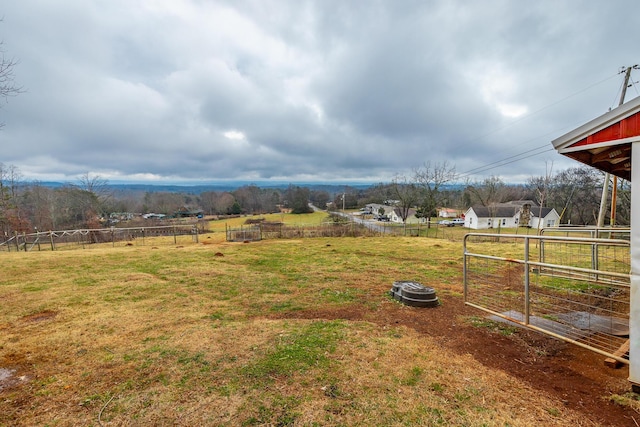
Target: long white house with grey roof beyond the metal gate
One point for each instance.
(519, 213)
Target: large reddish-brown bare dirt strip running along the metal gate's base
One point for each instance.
(576, 376)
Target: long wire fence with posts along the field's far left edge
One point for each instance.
(86, 238)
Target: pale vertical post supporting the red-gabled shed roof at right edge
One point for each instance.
(634, 306)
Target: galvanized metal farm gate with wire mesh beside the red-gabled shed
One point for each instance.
(573, 288)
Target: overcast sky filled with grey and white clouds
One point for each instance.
(297, 91)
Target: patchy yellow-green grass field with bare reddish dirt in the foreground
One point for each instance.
(278, 333)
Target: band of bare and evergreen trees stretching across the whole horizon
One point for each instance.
(29, 206)
